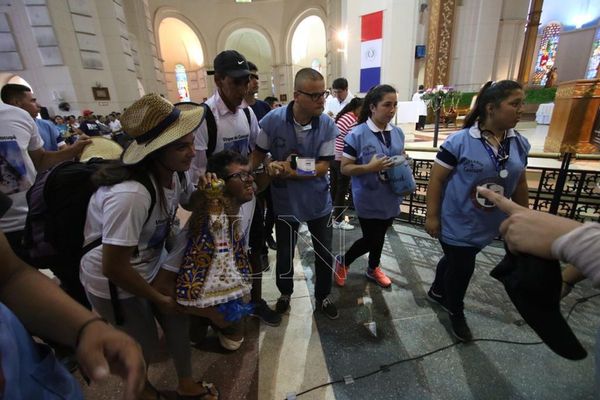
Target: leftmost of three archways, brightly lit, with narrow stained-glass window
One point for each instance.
(180, 46)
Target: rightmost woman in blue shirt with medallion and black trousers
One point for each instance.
(486, 152)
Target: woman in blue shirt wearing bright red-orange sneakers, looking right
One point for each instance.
(367, 155)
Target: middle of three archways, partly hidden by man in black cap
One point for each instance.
(256, 48)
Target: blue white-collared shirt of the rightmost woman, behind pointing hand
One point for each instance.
(466, 218)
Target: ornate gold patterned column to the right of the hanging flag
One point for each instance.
(439, 42)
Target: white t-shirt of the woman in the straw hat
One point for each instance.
(118, 214)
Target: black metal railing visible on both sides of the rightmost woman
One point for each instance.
(571, 193)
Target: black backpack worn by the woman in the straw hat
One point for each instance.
(58, 202)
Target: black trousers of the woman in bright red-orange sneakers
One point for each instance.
(371, 242)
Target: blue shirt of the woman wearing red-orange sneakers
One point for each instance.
(372, 194)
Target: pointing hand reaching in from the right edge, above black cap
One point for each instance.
(529, 231)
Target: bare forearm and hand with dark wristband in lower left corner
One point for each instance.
(45, 310)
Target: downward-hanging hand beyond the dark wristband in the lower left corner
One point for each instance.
(103, 349)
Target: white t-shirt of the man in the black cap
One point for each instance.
(233, 132)
